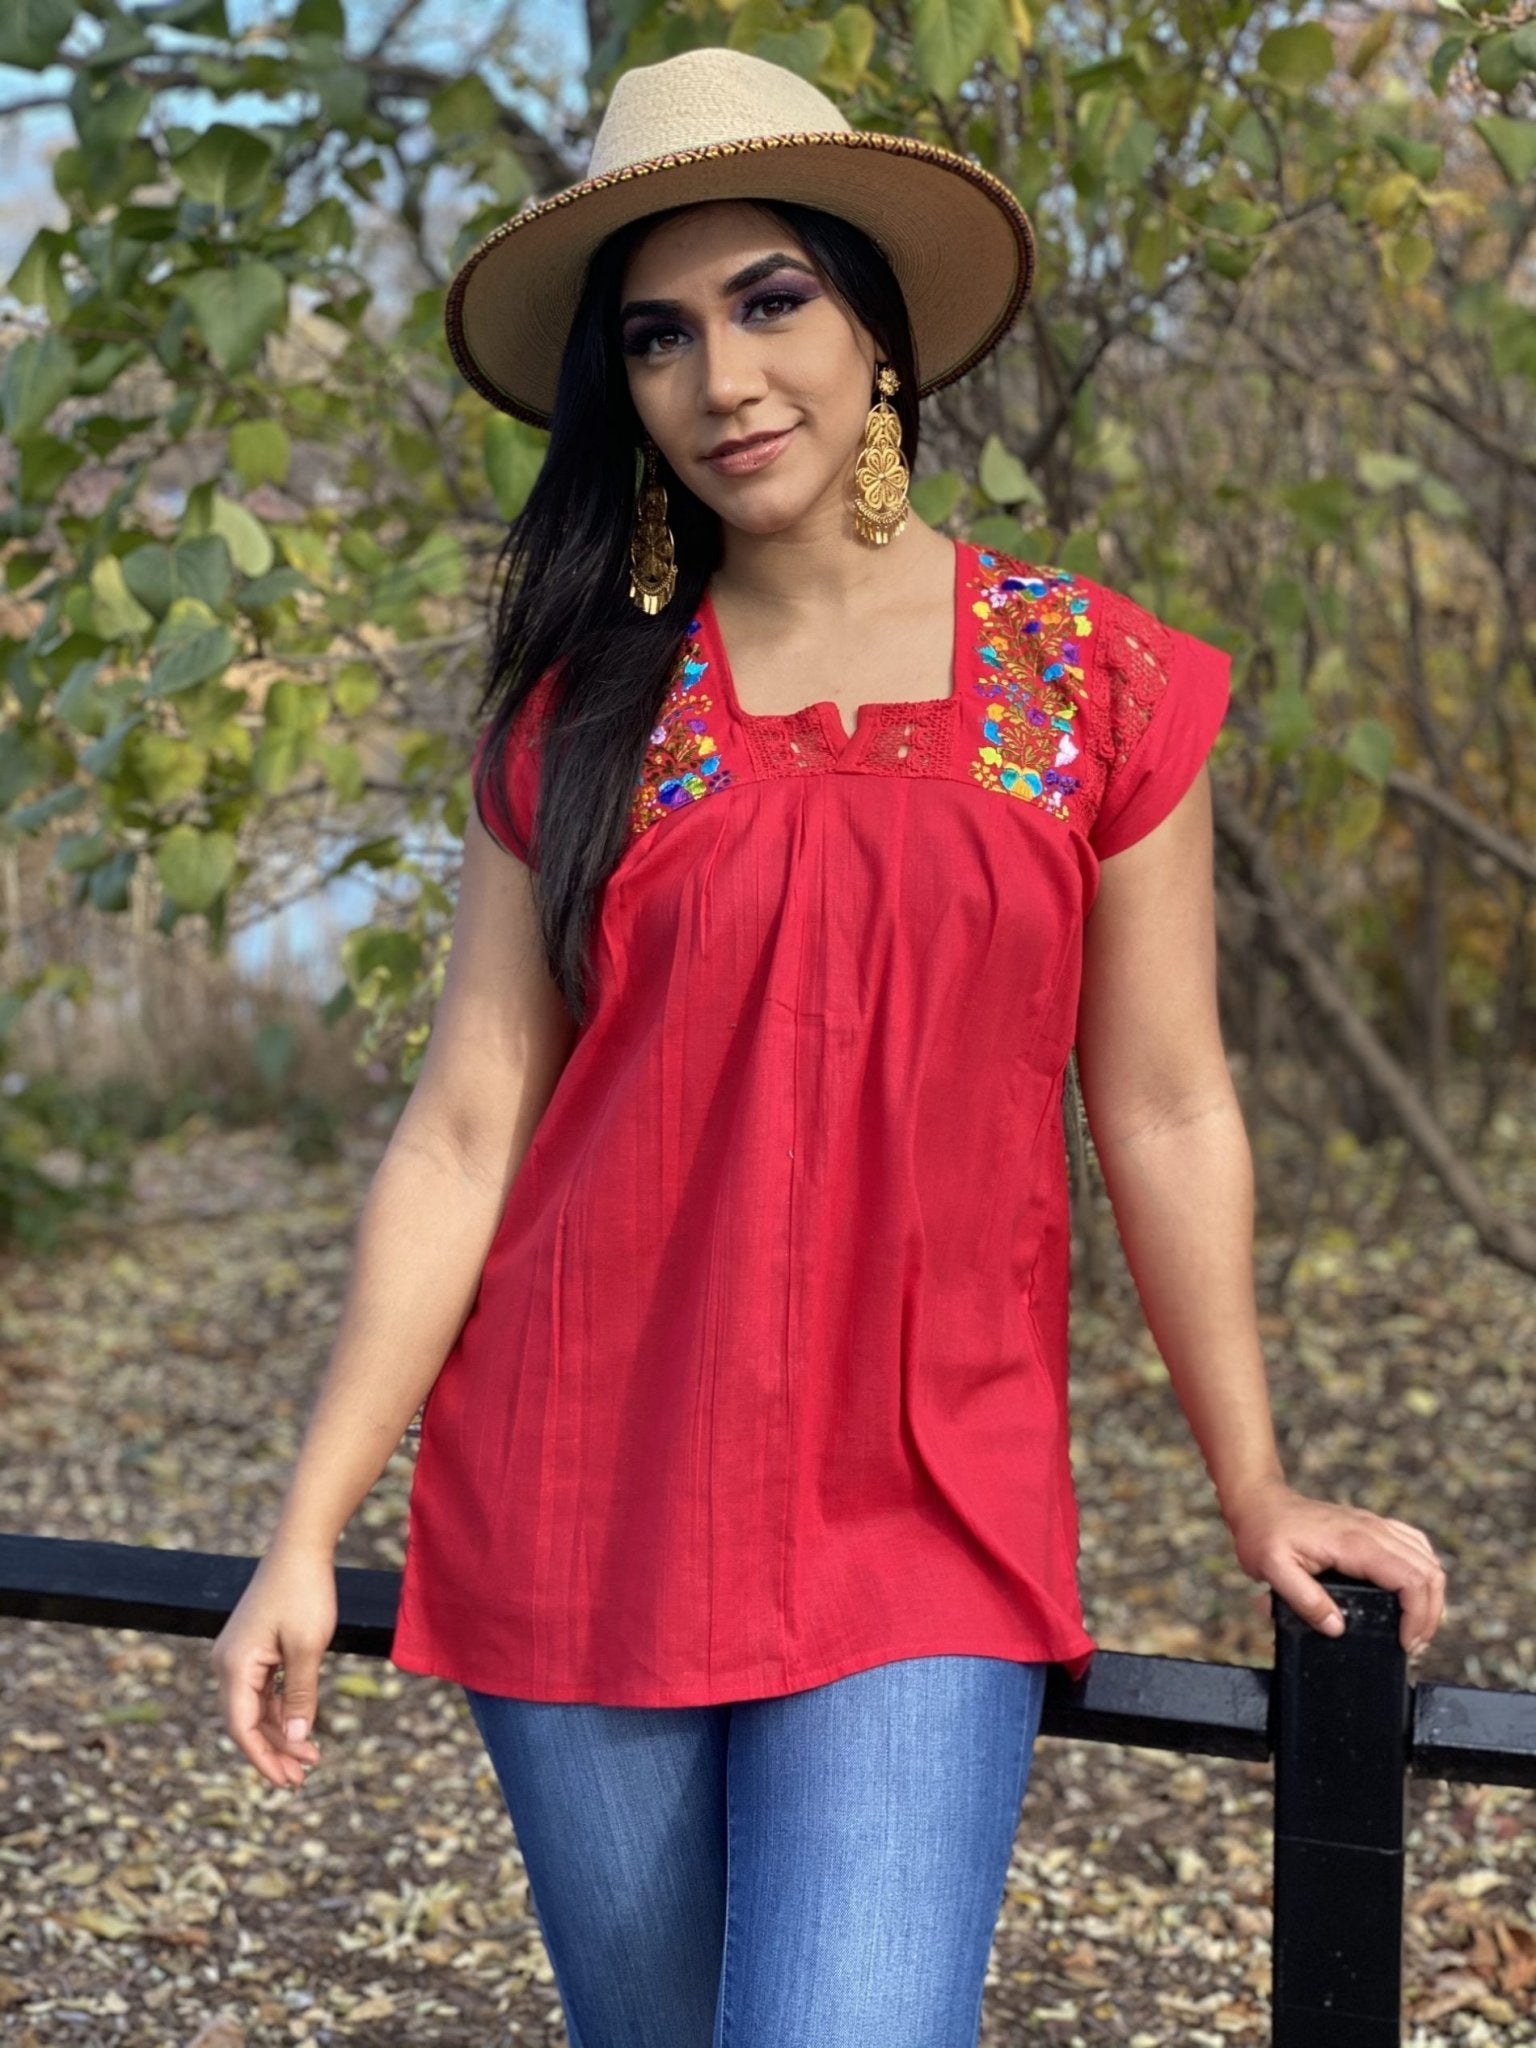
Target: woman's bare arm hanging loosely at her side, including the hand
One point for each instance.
(499, 1043)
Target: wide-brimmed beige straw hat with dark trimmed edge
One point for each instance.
(718, 124)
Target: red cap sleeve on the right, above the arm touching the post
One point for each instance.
(1164, 695)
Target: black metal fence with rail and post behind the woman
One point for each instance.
(1338, 1717)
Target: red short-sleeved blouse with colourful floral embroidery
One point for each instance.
(767, 1373)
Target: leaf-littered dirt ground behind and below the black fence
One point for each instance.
(157, 1893)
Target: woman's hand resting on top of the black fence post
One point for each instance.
(1283, 1539)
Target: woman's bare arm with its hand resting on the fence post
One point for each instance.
(1170, 1138)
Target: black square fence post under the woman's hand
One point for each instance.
(1340, 1740)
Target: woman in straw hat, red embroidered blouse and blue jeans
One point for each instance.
(734, 1183)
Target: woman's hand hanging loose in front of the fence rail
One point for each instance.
(286, 1619)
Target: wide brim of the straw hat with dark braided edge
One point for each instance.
(959, 243)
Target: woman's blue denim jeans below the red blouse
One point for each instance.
(822, 1867)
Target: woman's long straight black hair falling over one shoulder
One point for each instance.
(564, 583)
